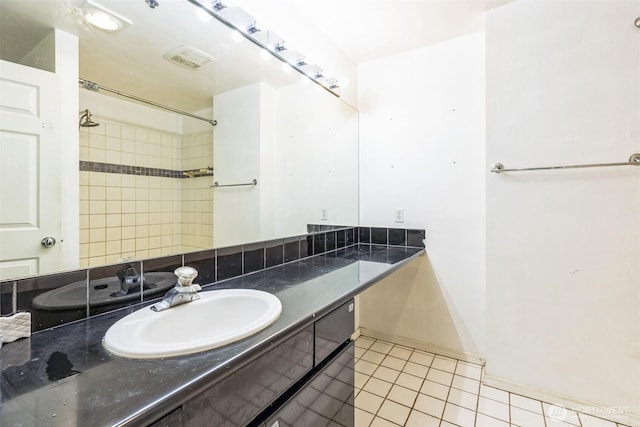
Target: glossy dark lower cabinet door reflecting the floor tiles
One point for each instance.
(326, 400)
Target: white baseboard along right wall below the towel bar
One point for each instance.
(618, 414)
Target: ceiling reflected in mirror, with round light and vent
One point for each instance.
(131, 60)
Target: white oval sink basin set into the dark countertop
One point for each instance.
(216, 319)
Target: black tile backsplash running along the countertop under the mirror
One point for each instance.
(213, 265)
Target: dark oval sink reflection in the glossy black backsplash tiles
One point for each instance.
(101, 292)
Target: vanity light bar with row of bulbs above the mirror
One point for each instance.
(238, 19)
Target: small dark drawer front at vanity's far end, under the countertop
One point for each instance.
(333, 330)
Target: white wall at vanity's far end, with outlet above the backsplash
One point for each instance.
(422, 149)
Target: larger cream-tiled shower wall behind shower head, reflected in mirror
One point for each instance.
(128, 215)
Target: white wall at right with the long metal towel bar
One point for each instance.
(563, 252)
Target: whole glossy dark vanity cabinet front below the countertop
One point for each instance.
(304, 381)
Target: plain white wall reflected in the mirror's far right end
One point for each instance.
(315, 159)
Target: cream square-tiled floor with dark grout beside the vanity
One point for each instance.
(401, 386)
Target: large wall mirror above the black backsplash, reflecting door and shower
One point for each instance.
(112, 178)
